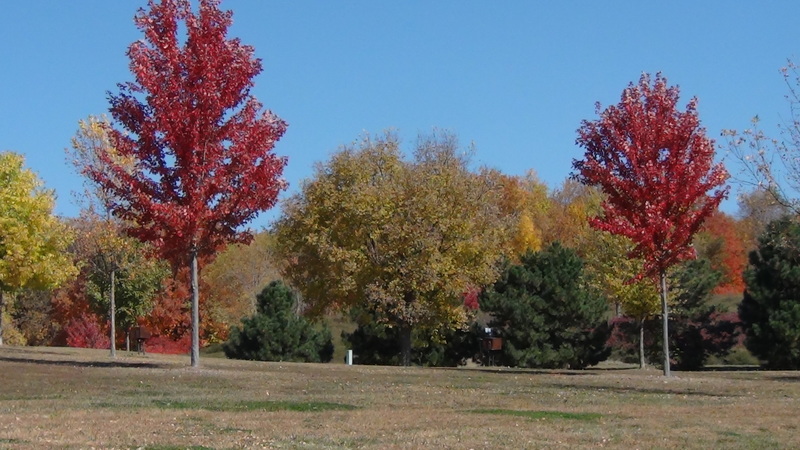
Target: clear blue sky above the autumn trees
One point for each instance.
(513, 77)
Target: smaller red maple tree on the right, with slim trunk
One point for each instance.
(656, 167)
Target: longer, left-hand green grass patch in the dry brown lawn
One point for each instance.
(254, 406)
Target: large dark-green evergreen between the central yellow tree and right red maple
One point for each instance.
(547, 314)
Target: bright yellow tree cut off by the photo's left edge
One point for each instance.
(33, 241)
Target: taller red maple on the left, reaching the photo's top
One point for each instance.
(192, 153)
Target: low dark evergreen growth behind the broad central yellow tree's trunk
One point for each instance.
(379, 344)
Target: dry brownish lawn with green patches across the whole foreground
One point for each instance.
(76, 398)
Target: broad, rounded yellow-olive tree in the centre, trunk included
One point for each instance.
(402, 238)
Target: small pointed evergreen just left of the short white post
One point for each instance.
(276, 333)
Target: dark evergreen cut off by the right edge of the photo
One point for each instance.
(770, 310)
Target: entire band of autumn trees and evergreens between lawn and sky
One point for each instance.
(422, 252)
